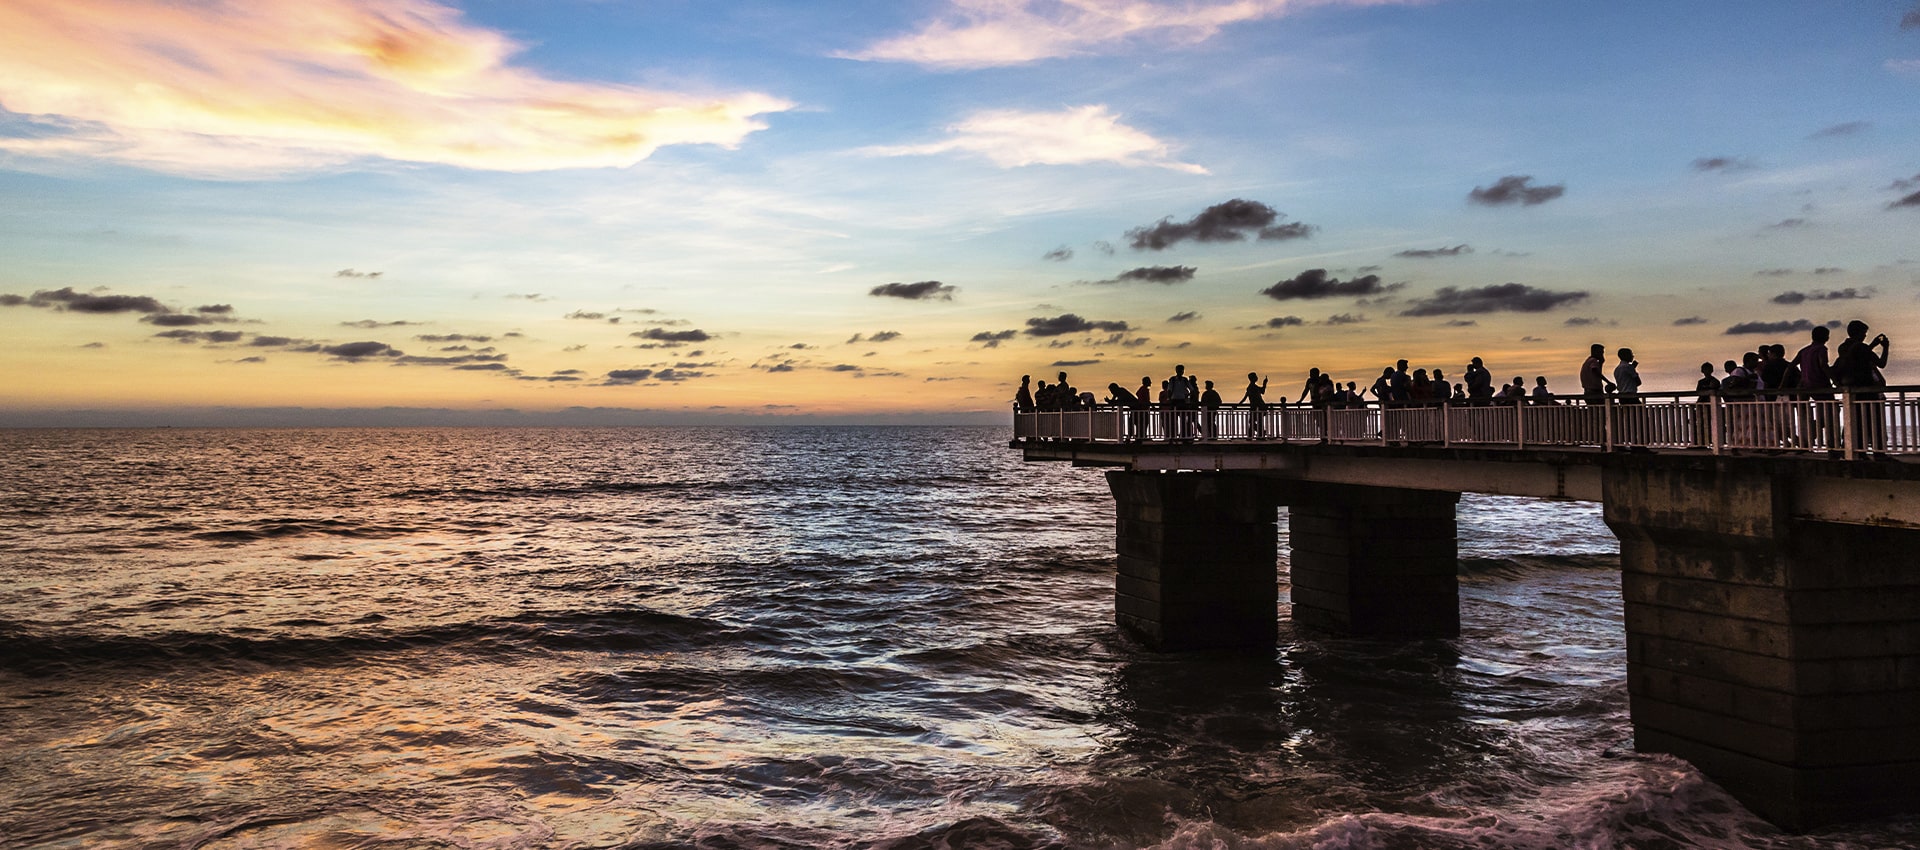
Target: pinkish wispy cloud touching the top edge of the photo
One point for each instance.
(990, 34)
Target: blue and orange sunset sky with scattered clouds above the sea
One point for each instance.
(675, 212)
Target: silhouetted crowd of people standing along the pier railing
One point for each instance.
(1189, 408)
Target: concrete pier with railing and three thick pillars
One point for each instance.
(1769, 555)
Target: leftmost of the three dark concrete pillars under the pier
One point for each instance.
(1197, 559)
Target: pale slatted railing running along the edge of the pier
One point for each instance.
(1840, 423)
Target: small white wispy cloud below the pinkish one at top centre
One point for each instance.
(1070, 137)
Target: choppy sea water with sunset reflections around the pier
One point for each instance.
(754, 640)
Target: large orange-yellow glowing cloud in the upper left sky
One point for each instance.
(237, 87)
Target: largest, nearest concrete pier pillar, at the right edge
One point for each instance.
(1779, 655)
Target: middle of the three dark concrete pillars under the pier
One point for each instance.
(1374, 561)
